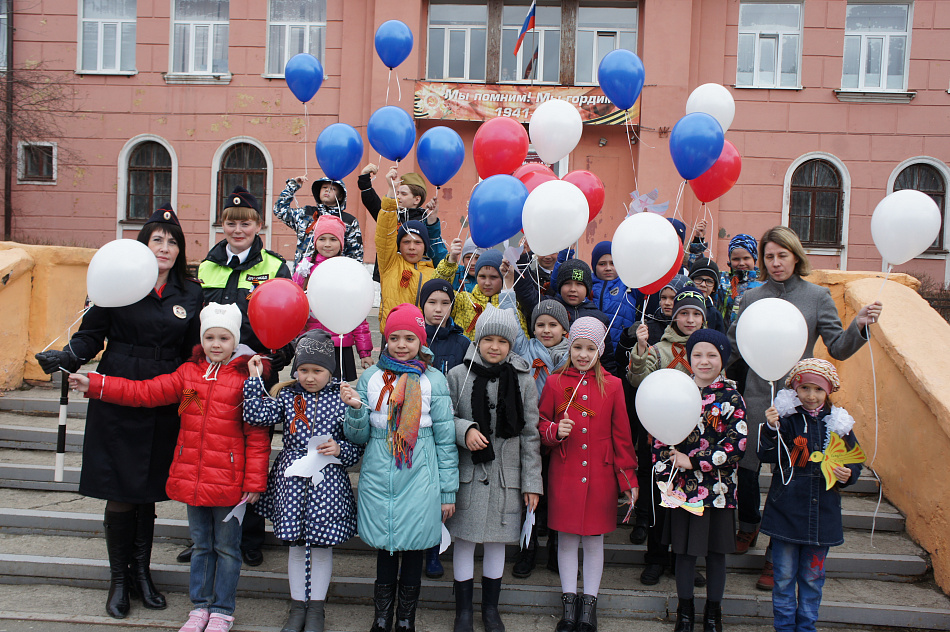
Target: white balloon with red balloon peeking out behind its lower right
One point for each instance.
(645, 247)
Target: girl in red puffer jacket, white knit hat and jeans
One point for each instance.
(219, 461)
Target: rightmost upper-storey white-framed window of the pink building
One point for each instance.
(876, 47)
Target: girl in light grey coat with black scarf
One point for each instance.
(496, 423)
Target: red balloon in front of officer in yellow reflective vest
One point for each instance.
(278, 310)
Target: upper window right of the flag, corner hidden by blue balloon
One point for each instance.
(599, 31)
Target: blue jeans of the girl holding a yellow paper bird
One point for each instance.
(804, 566)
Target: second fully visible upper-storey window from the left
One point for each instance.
(200, 37)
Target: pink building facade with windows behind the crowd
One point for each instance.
(837, 104)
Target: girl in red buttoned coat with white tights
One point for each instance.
(584, 421)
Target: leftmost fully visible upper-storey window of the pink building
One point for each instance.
(108, 36)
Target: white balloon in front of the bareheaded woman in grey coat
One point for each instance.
(772, 335)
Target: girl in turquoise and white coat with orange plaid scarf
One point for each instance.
(402, 411)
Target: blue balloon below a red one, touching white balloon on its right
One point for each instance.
(494, 210)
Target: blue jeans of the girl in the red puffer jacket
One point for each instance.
(215, 559)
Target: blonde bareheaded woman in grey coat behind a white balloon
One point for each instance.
(782, 265)
